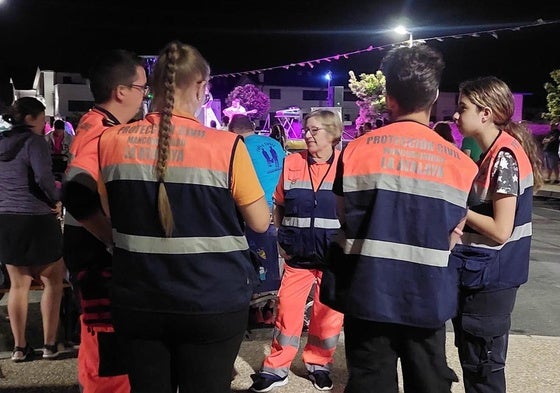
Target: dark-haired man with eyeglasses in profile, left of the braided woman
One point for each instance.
(119, 86)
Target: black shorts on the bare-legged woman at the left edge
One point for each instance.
(30, 240)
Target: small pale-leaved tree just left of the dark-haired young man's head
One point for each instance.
(370, 91)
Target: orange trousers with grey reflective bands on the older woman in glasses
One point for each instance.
(324, 328)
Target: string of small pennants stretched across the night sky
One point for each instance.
(311, 63)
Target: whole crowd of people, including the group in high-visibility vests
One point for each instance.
(164, 237)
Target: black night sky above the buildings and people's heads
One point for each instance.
(242, 36)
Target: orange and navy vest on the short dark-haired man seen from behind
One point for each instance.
(405, 189)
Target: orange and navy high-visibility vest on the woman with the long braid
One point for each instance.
(207, 255)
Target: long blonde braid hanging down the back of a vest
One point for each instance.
(164, 207)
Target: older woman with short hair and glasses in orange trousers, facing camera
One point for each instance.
(305, 215)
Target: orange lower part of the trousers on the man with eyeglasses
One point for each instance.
(88, 364)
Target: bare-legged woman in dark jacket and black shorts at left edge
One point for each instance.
(30, 234)
